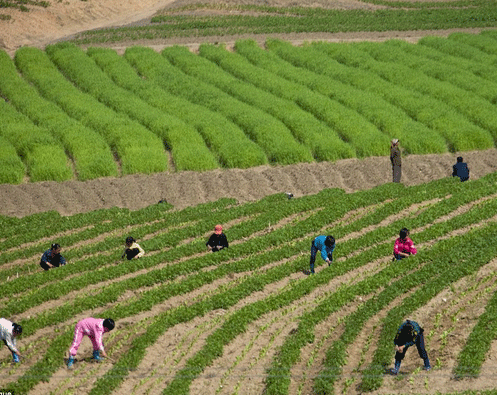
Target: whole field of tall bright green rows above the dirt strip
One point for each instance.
(98, 114)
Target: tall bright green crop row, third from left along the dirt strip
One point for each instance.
(92, 156)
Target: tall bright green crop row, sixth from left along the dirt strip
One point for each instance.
(224, 138)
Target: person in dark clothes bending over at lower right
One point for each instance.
(408, 334)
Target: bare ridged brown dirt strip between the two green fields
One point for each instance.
(185, 189)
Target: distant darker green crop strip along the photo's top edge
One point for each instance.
(272, 20)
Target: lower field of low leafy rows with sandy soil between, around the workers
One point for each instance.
(247, 320)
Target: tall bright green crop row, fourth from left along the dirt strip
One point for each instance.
(139, 150)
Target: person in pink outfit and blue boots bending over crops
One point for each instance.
(94, 328)
